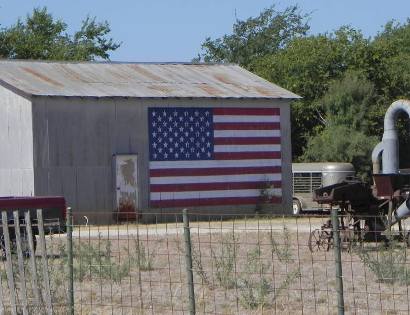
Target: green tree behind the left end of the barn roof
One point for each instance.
(40, 36)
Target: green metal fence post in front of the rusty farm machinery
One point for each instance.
(338, 261)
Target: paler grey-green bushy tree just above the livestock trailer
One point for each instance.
(346, 134)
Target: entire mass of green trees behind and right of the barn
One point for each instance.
(346, 81)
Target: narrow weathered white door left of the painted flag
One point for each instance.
(126, 184)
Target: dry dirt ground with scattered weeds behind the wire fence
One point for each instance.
(240, 267)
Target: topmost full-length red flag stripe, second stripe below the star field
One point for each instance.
(214, 171)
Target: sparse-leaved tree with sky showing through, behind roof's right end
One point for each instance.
(256, 37)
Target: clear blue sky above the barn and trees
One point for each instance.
(173, 30)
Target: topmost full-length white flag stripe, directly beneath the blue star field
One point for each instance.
(212, 163)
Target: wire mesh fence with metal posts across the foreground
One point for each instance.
(240, 265)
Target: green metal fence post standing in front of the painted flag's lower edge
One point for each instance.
(188, 262)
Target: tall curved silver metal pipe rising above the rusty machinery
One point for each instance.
(389, 146)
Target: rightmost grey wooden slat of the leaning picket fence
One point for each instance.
(46, 277)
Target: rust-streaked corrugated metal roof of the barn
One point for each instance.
(142, 80)
